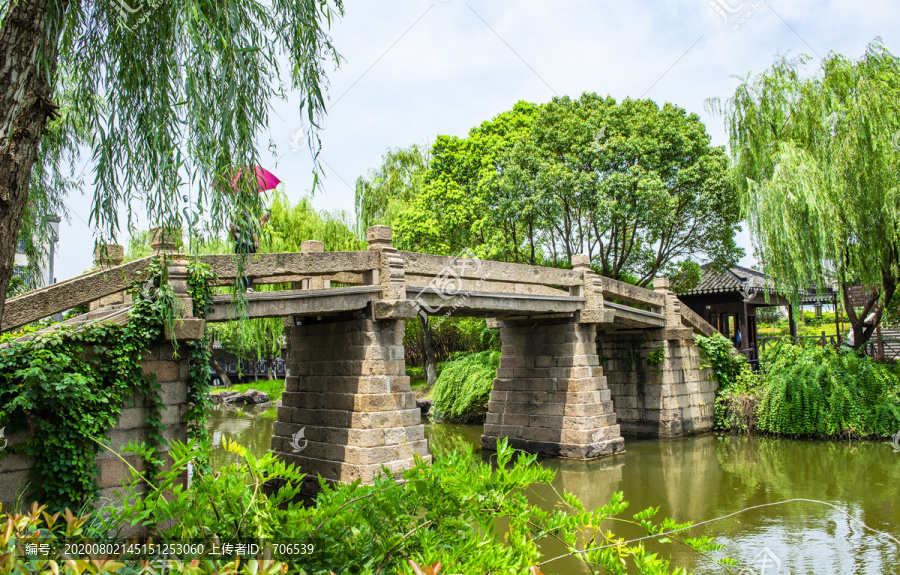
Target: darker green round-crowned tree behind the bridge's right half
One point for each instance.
(635, 186)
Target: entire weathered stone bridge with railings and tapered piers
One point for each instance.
(584, 358)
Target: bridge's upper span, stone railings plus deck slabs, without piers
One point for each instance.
(396, 285)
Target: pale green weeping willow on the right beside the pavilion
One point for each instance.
(813, 155)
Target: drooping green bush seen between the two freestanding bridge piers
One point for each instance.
(463, 389)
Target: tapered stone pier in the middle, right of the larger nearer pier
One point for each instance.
(550, 396)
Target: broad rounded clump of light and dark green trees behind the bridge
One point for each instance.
(635, 186)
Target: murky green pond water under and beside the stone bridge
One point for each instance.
(709, 476)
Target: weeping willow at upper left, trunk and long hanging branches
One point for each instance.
(166, 96)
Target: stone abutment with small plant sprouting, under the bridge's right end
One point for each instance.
(666, 399)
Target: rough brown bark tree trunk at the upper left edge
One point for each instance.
(30, 26)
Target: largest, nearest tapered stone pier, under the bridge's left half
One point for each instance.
(349, 396)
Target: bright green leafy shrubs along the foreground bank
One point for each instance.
(470, 516)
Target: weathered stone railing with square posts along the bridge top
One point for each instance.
(400, 276)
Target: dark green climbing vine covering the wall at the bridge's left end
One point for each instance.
(67, 388)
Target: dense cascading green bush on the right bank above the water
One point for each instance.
(820, 391)
